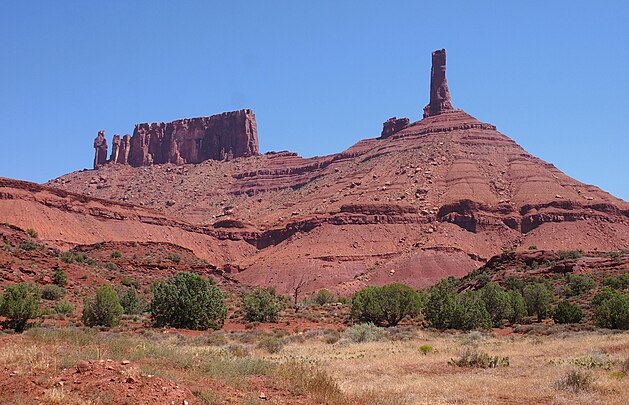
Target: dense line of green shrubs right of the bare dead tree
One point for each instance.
(444, 307)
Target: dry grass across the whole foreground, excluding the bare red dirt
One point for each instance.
(383, 372)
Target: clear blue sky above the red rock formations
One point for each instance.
(321, 75)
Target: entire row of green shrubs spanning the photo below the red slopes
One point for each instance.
(190, 301)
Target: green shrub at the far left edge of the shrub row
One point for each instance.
(19, 303)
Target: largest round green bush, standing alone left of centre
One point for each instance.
(188, 300)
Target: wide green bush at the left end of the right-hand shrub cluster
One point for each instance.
(390, 304)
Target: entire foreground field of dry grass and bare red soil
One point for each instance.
(313, 366)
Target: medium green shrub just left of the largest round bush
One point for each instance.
(103, 309)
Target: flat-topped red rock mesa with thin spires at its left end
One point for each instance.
(191, 140)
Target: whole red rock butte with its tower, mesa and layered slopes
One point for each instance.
(423, 201)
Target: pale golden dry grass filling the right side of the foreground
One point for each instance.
(400, 371)
